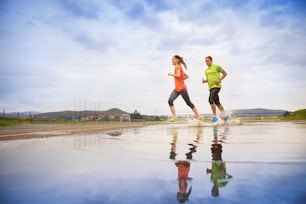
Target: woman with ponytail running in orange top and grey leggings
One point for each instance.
(180, 87)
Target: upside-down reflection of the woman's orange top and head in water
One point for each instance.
(183, 168)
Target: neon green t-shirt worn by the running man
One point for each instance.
(213, 74)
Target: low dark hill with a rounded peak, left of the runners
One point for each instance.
(78, 114)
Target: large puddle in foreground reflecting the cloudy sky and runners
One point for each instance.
(267, 163)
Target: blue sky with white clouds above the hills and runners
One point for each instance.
(57, 54)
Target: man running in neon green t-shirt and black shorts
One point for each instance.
(213, 79)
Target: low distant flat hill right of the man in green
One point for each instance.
(258, 112)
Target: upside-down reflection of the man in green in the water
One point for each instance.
(219, 176)
